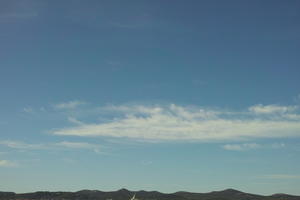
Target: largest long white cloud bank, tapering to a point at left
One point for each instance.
(178, 123)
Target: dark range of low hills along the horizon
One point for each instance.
(124, 194)
